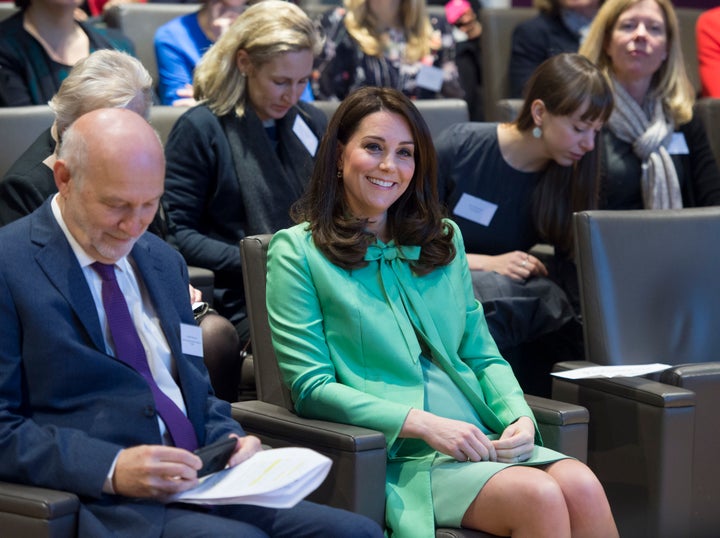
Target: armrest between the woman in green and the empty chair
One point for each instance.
(563, 426)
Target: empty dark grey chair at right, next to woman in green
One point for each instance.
(649, 292)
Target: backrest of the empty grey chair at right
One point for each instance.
(649, 285)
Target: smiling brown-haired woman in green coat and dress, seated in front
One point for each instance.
(374, 323)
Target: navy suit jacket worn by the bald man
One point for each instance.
(66, 406)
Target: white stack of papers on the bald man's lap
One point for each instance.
(277, 478)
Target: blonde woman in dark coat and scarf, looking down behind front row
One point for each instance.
(238, 160)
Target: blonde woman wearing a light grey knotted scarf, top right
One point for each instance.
(656, 153)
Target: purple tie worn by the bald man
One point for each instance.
(130, 350)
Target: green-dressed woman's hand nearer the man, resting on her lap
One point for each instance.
(461, 440)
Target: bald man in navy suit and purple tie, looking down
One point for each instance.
(75, 417)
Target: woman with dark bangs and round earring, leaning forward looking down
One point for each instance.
(512, 185)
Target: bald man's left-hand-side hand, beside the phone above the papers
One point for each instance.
(155, 471)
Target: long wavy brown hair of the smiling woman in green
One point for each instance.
(414, 219)
